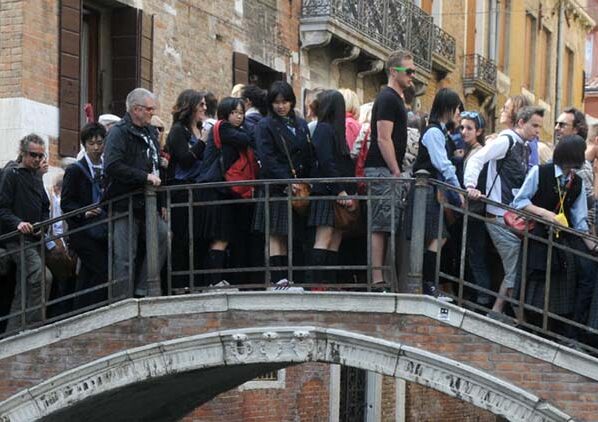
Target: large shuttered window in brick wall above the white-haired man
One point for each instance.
(105, 52)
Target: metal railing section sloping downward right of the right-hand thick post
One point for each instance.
(570, 329)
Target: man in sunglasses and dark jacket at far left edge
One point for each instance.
(23, 203)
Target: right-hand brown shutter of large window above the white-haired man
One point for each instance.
(132, 54)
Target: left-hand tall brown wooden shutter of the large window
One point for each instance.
(70, 69)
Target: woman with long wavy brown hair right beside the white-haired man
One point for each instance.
(186, 149)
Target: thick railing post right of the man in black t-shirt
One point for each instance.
(416, 248)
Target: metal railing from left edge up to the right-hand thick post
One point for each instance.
(180, 204)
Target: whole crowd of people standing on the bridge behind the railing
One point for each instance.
(260, 134)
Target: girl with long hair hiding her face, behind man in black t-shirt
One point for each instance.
(333, 160)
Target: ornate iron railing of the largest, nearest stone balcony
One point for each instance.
(395, 24)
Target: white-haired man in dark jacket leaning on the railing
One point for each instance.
(132, 161)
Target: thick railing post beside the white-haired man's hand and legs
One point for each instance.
(151, 239)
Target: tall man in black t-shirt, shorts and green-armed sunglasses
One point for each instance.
(386, 152)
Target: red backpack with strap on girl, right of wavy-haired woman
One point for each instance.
(245, 168)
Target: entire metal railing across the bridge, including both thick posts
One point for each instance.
(182, 202)
